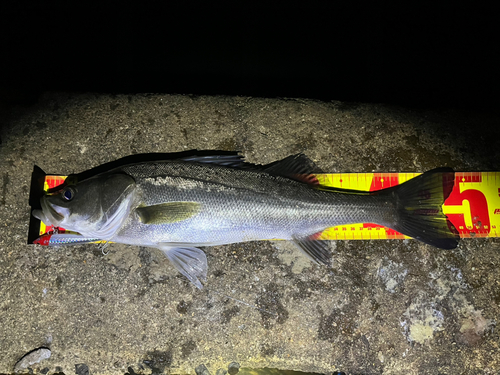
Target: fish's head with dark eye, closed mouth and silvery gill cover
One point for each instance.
(93, 207)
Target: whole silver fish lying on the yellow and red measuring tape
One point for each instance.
(186, 203)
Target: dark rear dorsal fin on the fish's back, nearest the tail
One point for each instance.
(297, 167)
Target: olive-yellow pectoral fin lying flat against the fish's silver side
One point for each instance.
(168, 213)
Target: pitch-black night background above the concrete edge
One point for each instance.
(439, 56)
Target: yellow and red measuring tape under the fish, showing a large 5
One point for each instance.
(473, 206)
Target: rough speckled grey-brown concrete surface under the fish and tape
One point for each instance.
(385, 307)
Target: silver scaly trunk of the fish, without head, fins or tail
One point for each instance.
(241, 205)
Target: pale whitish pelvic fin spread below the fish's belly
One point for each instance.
(190, 261)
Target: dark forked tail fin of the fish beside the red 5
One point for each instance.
(418, 206)
